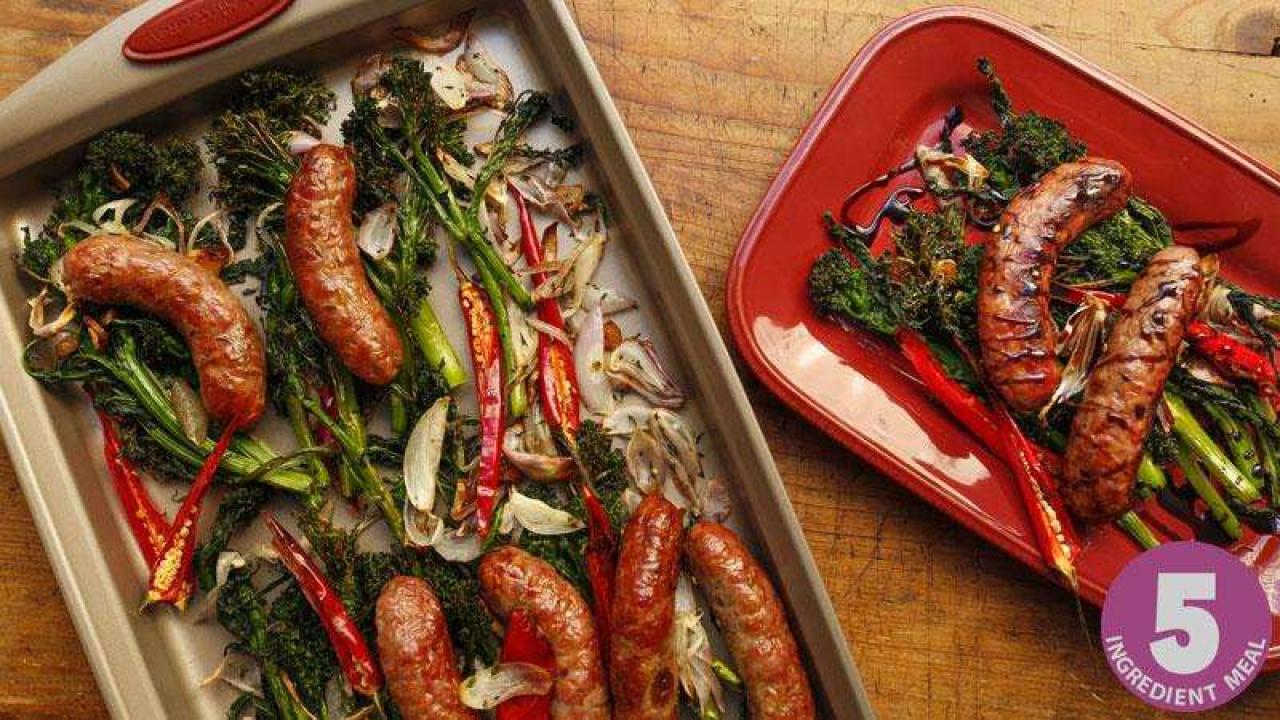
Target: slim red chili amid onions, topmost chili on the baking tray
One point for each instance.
(557, 381)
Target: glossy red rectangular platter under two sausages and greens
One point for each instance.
(854, 386)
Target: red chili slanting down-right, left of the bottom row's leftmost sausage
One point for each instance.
(349, 644)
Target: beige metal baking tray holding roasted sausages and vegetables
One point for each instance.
(150, 666)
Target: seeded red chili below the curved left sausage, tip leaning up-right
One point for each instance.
(171, 575)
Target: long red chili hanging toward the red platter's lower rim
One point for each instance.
(998, 430)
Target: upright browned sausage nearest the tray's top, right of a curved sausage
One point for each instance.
(321, 245)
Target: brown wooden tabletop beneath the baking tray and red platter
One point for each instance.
(715, 93)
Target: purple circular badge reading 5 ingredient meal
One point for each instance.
(1186, 627)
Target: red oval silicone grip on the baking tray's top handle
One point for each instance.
(195, 26)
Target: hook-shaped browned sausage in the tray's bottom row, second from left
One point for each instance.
(511, 578)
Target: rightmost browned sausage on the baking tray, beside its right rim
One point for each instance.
(755, 625)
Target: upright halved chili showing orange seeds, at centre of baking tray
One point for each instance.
(487, 364)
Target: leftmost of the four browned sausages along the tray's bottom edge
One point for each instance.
(417, 654)
